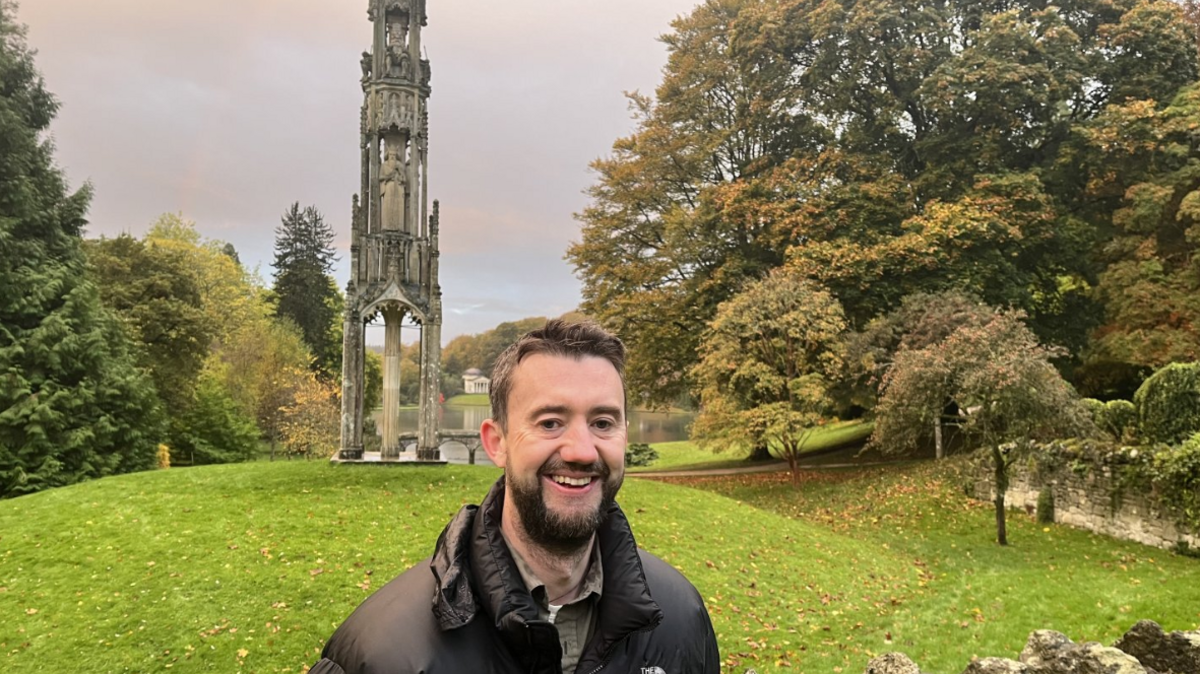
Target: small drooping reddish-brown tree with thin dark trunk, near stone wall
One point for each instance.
(1000, 381)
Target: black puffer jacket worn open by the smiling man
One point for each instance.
(484, 621)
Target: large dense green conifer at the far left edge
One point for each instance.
(74, 404)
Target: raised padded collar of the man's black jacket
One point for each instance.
(476, 574)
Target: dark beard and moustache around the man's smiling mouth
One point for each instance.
(560, 533)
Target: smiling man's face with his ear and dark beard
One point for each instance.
(563, 450)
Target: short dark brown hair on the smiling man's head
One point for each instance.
(557, 339)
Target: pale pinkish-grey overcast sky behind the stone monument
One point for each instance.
(230, 111)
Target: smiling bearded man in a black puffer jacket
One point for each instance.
(544, 576)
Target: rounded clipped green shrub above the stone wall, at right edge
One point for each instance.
(1169, 405)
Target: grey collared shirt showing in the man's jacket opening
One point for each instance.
(577, 619)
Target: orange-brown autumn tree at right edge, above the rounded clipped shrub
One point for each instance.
(1145, 170)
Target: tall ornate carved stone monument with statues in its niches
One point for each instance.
(394, 239)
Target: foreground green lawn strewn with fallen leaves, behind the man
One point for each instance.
(249, 568)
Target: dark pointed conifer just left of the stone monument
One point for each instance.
(305, 291)
